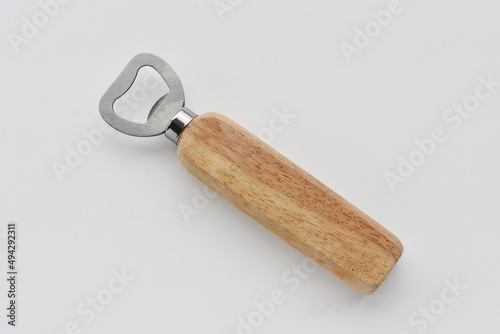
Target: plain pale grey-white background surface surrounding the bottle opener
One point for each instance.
(119, 209)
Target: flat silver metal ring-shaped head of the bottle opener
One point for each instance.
(168, 115)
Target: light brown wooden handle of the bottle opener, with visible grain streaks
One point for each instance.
(288, 201)
